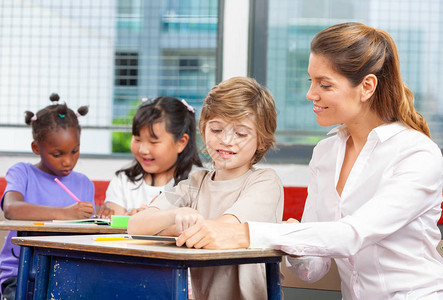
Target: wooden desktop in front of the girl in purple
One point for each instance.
(18, 225)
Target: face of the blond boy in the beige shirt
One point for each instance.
(231, 145)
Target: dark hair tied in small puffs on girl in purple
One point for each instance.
(52, 118)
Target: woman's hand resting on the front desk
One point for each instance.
(215, 235)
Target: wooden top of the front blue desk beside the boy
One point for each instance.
(139, 248)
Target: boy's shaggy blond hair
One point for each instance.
(240, 97)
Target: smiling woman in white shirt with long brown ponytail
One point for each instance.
(375, 192)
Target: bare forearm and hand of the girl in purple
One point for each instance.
(15, 208)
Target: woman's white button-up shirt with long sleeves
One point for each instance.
(382, 231)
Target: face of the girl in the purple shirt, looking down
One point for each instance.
(58, 152)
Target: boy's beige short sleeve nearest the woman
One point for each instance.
(262, 199)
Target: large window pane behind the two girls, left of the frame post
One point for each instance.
(107, 54)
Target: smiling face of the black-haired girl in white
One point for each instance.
(157, 155)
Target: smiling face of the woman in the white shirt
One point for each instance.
(335, 100)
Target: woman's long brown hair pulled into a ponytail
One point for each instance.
(356, 50)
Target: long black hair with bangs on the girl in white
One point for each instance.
(179, 118)
